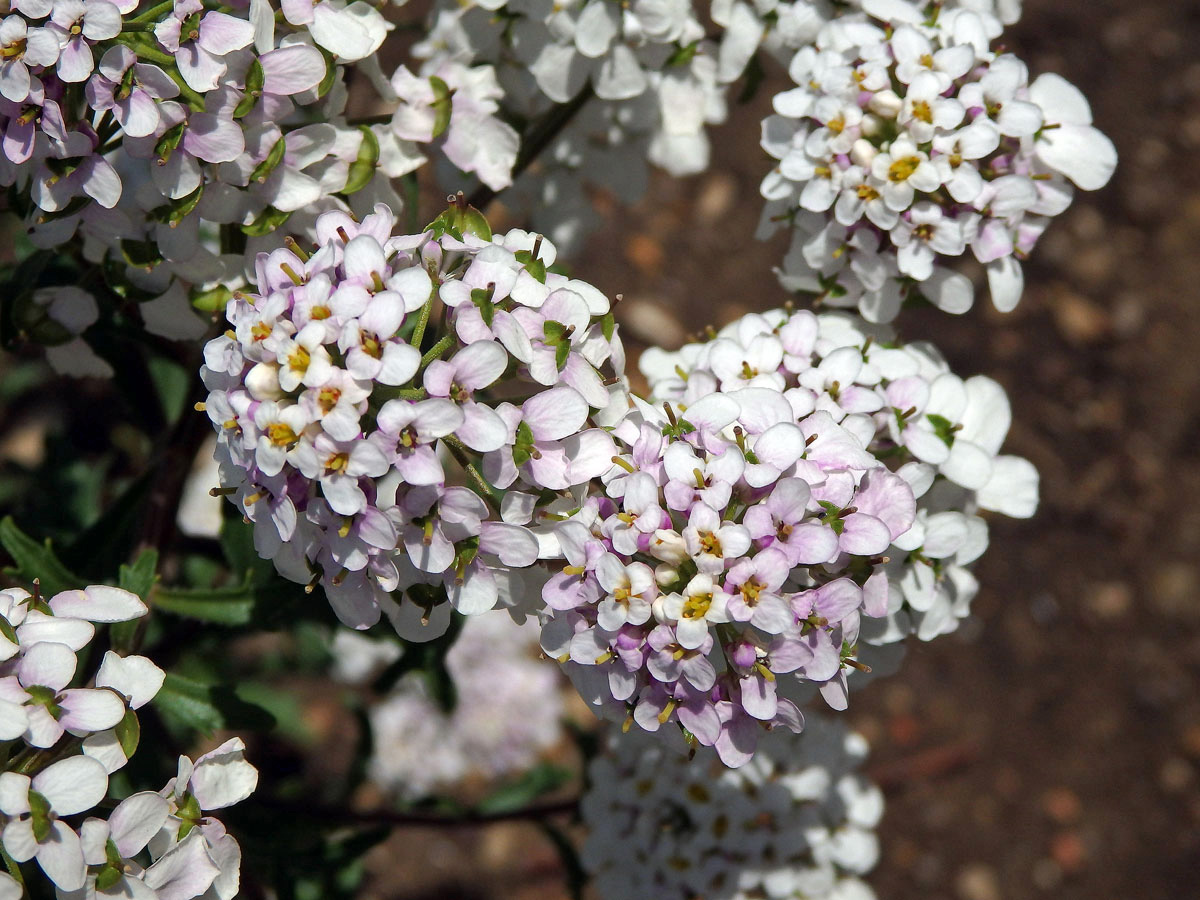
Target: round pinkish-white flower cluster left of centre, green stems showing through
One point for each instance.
(338, 423)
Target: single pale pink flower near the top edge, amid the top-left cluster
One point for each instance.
(201, 41)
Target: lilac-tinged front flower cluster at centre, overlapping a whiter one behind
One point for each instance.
(739, 541)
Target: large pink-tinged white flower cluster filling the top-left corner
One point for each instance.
(173, 141)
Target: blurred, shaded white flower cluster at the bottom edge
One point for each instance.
(797, 824)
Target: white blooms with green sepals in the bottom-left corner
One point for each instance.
(74, 739)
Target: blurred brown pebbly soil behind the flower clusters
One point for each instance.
(1051, 748)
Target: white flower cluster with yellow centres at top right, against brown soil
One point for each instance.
(910, 141)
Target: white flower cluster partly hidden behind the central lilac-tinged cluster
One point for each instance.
(940, 434)
